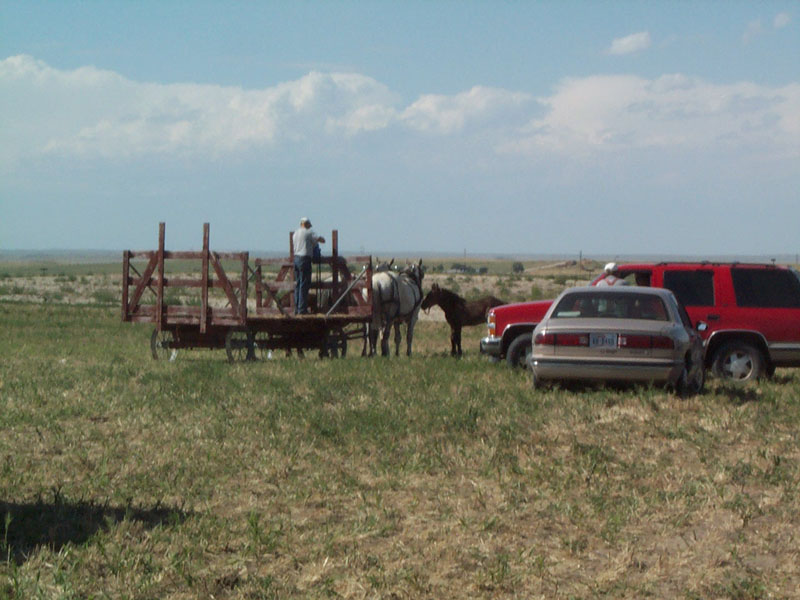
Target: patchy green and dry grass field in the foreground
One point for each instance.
(427, 477)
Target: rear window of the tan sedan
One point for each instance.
(611, 306)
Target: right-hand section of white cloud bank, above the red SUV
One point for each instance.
(606, 114)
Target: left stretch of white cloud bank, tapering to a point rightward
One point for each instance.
(89, 112)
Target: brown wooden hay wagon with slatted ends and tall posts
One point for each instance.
(212, 306)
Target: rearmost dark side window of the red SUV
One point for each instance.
(766, 288)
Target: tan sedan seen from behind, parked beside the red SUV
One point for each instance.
(618, 334)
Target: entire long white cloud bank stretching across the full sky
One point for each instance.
(90, 113)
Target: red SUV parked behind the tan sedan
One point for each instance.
(748, 314)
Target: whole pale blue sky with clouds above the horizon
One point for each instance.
(486, 127)
